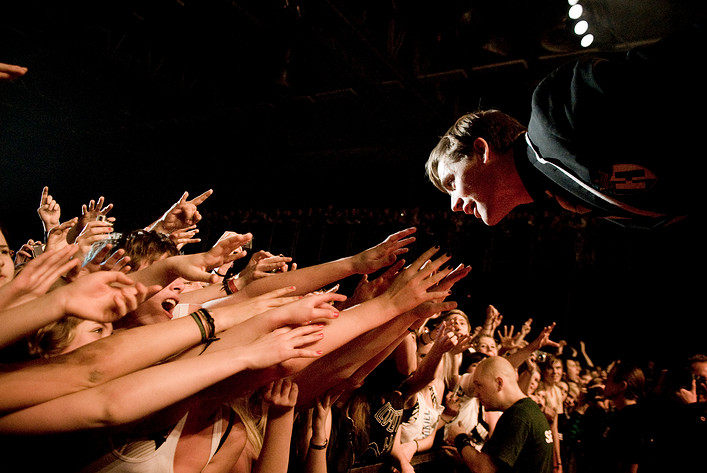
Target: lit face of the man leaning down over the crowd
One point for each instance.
(470, 185)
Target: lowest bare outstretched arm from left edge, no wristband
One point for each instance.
(136, 395)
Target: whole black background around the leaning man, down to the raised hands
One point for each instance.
(325, 107)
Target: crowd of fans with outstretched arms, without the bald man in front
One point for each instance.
(124, 351)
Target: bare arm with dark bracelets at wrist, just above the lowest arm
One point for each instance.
(127, 351)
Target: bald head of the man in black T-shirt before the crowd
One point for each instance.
(496, 383)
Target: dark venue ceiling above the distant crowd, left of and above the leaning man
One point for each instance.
(277, 99)
